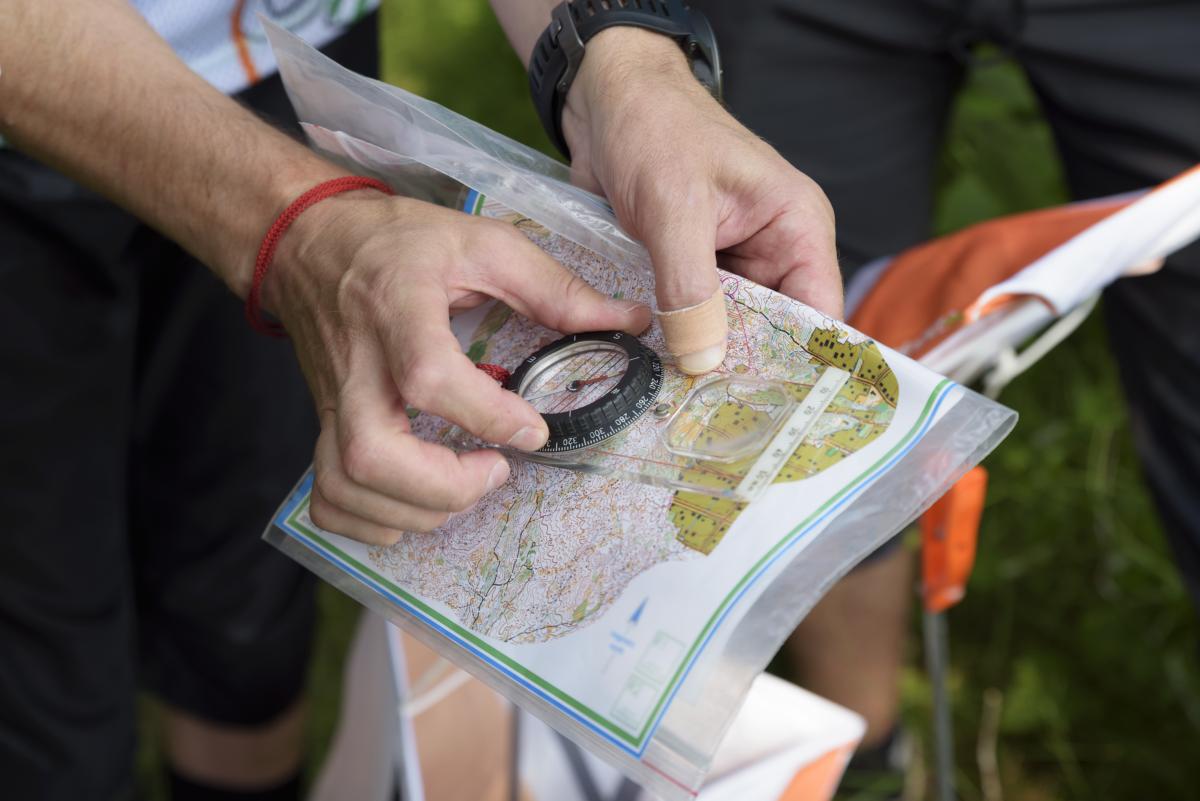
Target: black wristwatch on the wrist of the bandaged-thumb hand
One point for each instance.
(560, 50)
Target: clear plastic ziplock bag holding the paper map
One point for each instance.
(629, 612)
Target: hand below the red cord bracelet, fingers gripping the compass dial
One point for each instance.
(365, 286)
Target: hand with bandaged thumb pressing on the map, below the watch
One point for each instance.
(695, 186)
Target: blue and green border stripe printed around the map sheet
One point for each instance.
(613, 732)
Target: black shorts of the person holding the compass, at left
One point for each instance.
(147, 436)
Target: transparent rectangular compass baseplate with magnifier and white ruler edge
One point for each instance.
(727, 437)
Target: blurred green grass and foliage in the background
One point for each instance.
(1076, 660)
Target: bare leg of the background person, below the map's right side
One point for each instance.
(850, 649)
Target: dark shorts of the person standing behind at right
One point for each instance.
(859, 94)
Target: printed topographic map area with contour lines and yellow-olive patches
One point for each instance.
(553, 552)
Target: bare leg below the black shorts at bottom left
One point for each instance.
(236, 758)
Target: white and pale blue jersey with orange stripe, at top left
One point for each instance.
(224, 41)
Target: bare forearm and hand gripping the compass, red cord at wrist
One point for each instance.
(364, 284)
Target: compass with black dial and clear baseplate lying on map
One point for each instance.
(590, 388)
